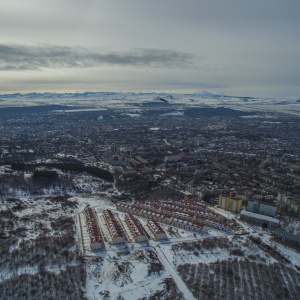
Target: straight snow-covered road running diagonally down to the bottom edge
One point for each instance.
(169, 267)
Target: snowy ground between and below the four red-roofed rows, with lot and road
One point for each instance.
(133, 281)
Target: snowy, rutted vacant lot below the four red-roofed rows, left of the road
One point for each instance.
(126, 275)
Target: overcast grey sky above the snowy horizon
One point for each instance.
(236, 47)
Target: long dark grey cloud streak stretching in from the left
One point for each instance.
(21, 57)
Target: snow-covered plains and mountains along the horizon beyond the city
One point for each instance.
(144, 101)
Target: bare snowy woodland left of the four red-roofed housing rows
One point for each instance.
(38, 255)
